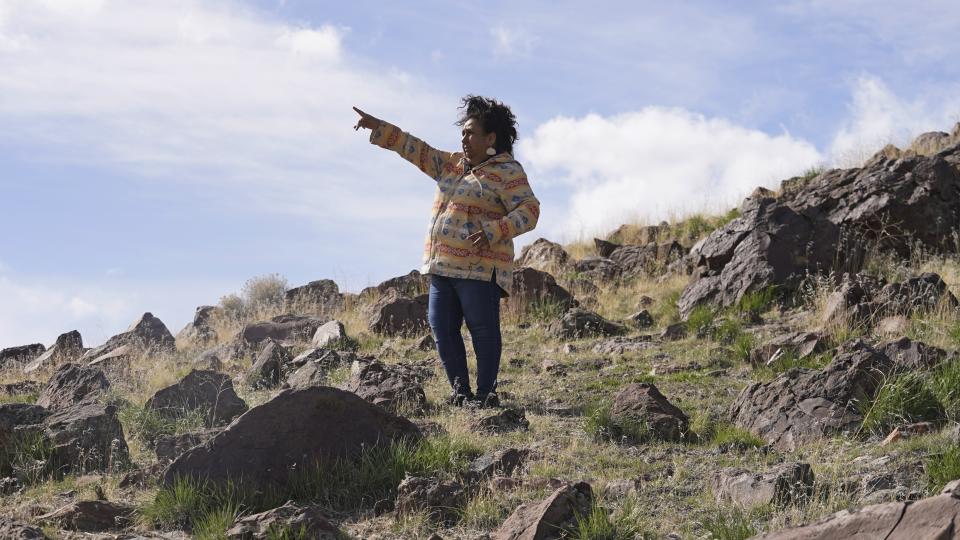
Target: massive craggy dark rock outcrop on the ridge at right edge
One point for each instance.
(826, 224)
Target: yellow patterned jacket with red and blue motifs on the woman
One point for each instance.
(493, 195)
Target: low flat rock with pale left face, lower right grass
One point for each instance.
(783, 484)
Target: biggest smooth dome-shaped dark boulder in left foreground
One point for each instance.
(295, 430)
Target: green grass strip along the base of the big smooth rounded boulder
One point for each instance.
(342, 486)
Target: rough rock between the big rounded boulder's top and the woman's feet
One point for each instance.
(390, 386)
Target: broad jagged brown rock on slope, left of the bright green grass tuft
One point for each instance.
(802, 405)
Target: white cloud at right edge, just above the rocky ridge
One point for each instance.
(878, 116)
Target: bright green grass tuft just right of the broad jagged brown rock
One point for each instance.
(901, 399)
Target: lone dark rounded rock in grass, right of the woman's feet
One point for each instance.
(640, 412)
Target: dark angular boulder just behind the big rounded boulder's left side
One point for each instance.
(207, 392)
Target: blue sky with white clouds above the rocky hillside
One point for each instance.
(155, 154)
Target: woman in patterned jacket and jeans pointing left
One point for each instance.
(482, 202)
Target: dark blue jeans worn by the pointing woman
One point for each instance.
(451, 301)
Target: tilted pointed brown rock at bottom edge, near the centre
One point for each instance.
(547, 519)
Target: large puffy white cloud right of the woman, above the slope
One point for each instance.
(654, 164)
